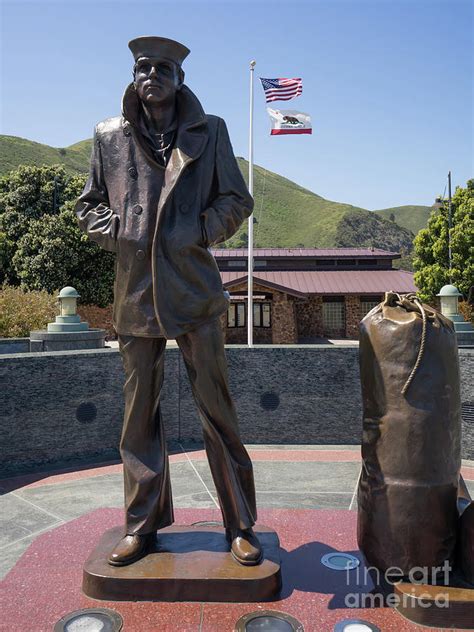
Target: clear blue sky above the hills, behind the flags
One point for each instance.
(388, 82)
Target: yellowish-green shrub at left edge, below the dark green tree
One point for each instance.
(22, 312)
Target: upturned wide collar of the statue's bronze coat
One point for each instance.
(192, 133)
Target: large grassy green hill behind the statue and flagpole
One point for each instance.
(287, 215)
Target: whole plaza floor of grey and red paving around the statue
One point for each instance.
(307, 493)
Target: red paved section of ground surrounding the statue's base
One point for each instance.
(46, 582)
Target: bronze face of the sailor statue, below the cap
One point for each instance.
(156, 81)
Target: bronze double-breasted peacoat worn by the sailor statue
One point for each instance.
(161, 221)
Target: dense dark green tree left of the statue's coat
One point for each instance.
(41, 245)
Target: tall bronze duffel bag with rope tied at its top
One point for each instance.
(411, 448)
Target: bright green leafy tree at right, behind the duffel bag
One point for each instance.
(431, 261)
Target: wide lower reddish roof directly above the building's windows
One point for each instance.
(340, 282)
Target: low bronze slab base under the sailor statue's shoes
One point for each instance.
(189, 563)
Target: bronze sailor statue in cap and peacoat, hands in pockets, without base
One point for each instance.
(164, 186)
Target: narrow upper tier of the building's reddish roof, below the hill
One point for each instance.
(304, 252)
